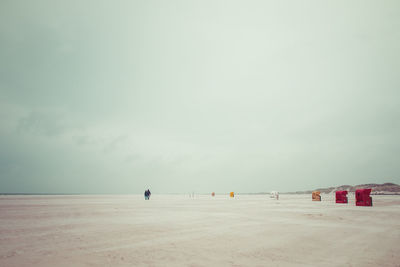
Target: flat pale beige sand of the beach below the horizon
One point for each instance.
(175, 230)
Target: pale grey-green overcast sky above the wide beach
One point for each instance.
(198, 96)
